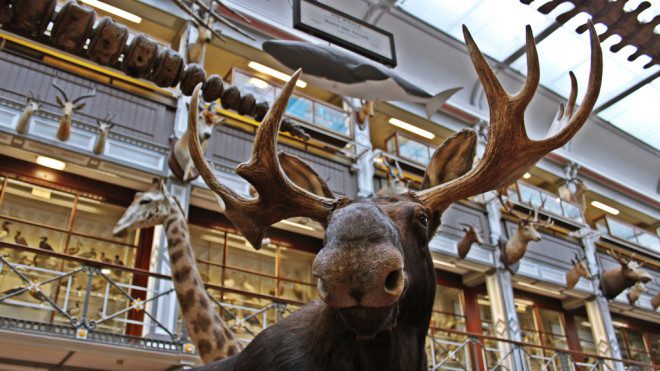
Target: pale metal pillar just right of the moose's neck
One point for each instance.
(500, 292)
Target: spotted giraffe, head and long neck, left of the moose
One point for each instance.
(208, 332)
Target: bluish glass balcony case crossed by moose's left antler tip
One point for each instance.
(310, 111)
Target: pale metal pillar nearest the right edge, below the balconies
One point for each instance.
(597, 307)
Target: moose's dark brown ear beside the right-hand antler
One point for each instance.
(452, 159)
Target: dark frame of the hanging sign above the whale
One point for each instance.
(299, 25)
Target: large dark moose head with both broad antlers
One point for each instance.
(375, 269)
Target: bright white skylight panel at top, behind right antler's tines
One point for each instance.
(498, 27)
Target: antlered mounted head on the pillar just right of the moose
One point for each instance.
(513, 249)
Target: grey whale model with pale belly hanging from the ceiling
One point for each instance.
(351, 75)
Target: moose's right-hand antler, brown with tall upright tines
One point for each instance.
(509, 151)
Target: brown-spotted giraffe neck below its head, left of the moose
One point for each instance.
(208, 332)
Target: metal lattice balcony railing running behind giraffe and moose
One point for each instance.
(104, 303)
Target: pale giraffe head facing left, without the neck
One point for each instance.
(148, 209)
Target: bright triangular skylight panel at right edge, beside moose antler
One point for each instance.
(638, 114)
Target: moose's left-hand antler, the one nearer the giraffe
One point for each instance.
(278, 197)
